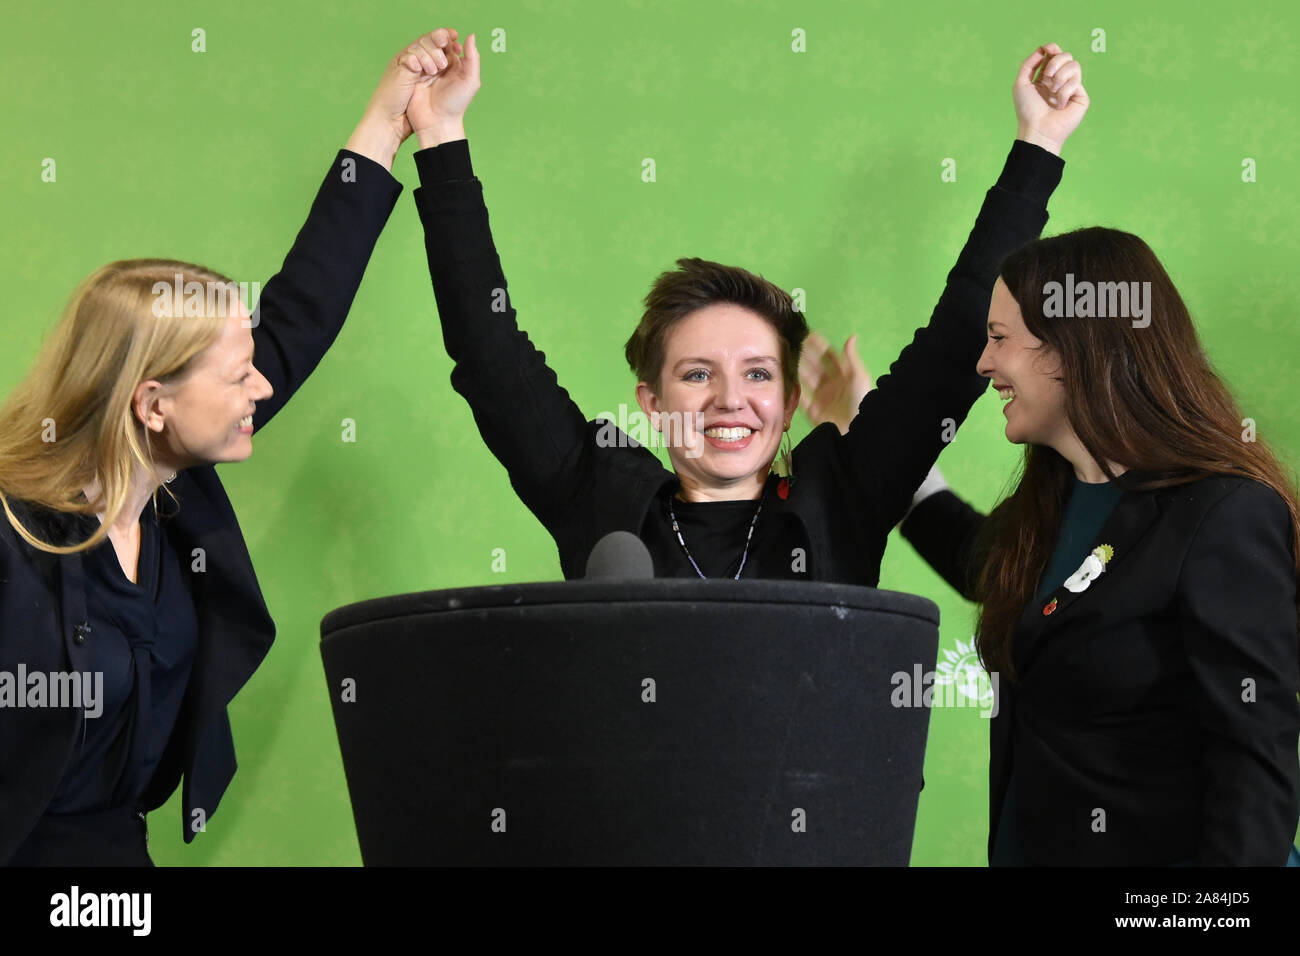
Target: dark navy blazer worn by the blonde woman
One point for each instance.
(44, 596)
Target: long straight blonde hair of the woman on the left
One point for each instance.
(71, 421)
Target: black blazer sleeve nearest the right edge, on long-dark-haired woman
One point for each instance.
(1237, 600)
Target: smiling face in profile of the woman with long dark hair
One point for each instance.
(1025, 374)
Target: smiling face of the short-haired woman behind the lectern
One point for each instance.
(722, 370)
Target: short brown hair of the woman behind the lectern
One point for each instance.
(696, 284)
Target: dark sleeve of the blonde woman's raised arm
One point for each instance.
(304, 306)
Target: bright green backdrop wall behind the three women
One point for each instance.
(818, 170)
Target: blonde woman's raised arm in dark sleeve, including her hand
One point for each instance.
(304, 306)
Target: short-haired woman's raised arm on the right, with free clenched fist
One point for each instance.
(907, 421)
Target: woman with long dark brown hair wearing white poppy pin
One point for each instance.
(1138, 587)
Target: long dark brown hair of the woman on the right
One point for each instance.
(1145, 399)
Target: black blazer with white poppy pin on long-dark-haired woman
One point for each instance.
(1155, 720)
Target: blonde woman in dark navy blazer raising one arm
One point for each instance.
(118, 664)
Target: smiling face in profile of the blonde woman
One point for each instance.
(206, 417)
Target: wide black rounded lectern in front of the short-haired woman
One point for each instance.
(632, 723)
